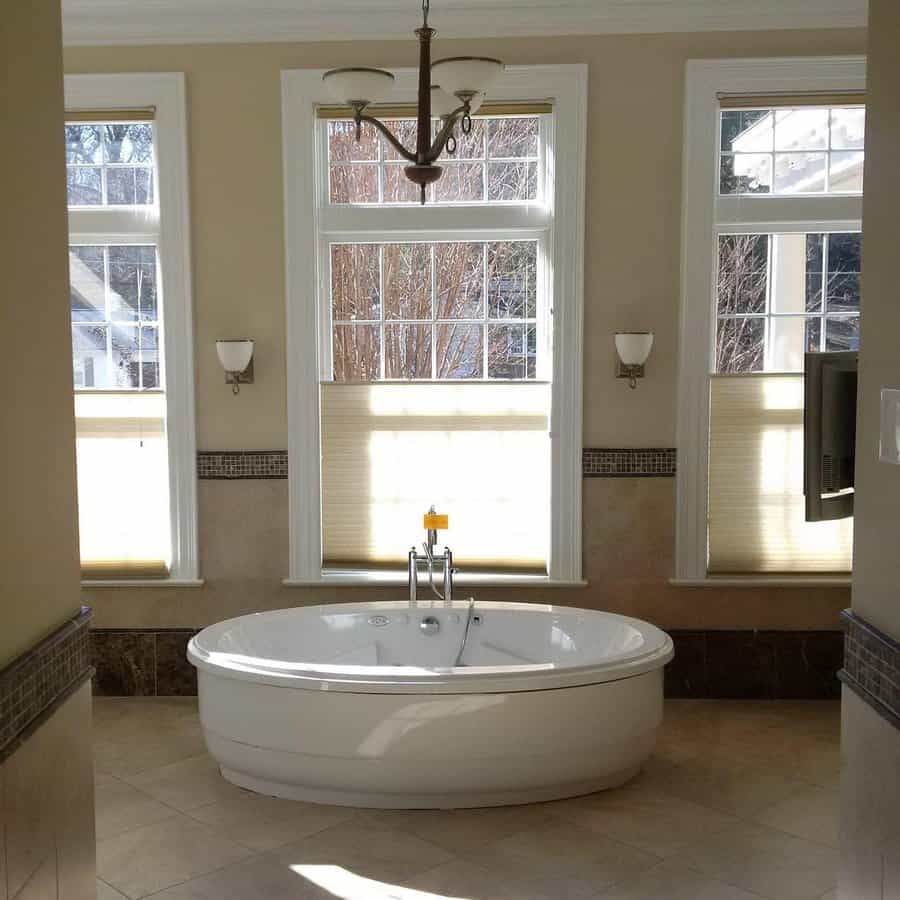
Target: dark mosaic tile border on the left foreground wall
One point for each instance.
(32, 685)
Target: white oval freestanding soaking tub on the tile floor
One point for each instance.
(364, 704)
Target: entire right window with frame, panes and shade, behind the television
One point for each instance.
(783, 143)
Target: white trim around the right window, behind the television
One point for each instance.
(702, 208)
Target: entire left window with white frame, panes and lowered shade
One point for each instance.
(129, 306)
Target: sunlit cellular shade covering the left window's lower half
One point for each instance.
(123, 484)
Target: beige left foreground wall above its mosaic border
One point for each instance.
(39, 583)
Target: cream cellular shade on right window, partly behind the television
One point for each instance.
(756, 508)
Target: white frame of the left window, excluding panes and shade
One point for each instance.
(167, 224)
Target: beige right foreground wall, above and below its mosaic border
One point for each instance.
(870, 750)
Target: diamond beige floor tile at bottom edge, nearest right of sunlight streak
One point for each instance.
(561, 860)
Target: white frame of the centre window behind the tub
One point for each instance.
(306, 216)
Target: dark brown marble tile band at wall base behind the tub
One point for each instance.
(758, 665)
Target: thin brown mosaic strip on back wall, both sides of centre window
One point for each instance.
(649, 462)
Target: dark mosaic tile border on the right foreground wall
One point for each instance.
(872, 666)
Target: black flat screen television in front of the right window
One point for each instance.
(829, 434)
